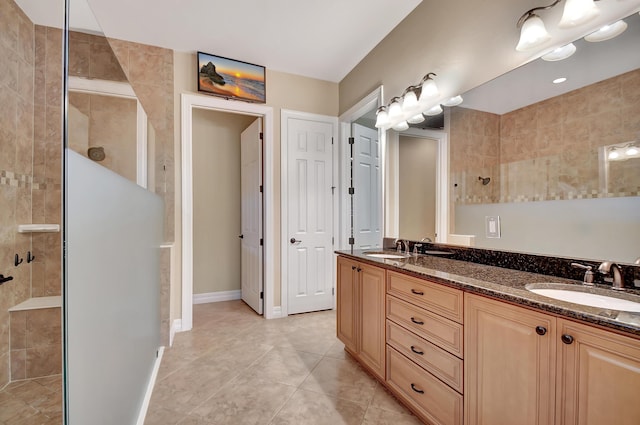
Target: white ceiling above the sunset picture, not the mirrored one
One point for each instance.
(318, 39)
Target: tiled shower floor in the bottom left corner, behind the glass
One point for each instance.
(32, 402)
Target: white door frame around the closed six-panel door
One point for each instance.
(284, 237)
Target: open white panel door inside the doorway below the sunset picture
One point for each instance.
(251, 249)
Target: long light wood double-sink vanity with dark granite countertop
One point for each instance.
(461, 341)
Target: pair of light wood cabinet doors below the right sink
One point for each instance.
(528, 367)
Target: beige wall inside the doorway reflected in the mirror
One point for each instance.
(417, 187)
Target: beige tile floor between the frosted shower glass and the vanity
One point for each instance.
(236, 368)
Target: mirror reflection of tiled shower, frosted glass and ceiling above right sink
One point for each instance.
(563, 159)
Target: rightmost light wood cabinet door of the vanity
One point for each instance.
(600, 376)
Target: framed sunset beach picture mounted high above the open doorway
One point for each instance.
(231, 79)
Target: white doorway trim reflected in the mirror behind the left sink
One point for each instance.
(442, 182)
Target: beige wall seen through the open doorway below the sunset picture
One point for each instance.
(216, 200)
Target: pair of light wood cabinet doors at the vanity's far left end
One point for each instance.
(361, 313)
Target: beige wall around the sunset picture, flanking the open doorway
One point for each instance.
(284, 91)
